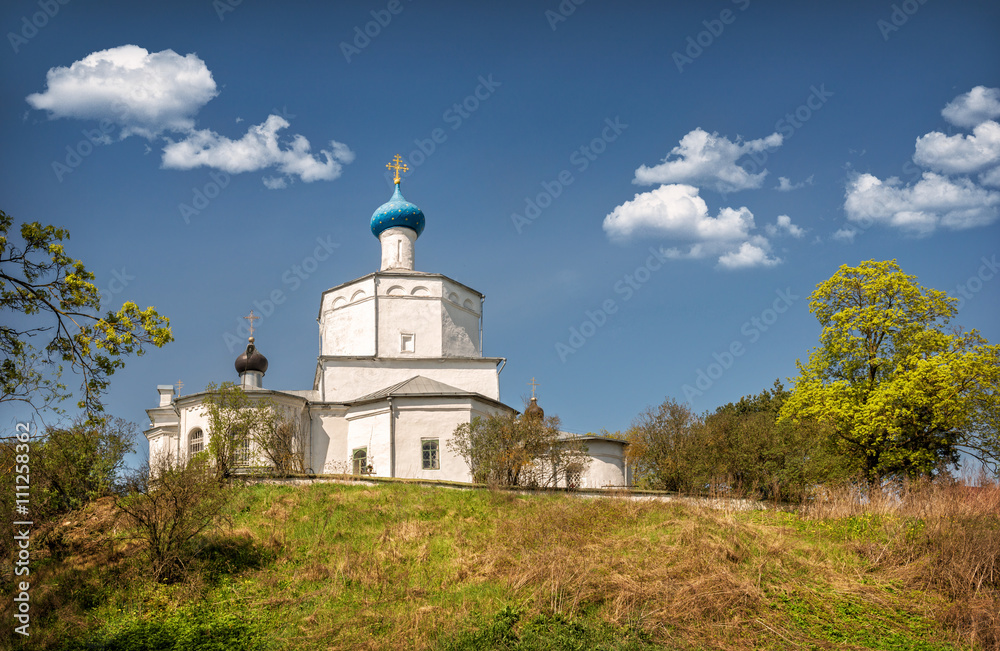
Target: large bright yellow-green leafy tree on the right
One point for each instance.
(902, 395)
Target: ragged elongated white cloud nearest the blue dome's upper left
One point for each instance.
(258, 149)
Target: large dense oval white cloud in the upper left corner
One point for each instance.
(144, 94)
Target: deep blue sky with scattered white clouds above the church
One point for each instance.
(645, 192)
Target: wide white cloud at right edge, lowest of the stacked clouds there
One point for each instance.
(933, 201)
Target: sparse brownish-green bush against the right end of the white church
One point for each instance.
(507, 450)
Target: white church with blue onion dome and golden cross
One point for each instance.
(400, 367)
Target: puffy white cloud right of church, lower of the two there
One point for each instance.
(678, 212)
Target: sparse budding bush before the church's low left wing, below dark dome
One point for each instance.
(245, 430)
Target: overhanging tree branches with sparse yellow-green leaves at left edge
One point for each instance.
(57, 321)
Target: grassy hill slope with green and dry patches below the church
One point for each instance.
(395, 566)
